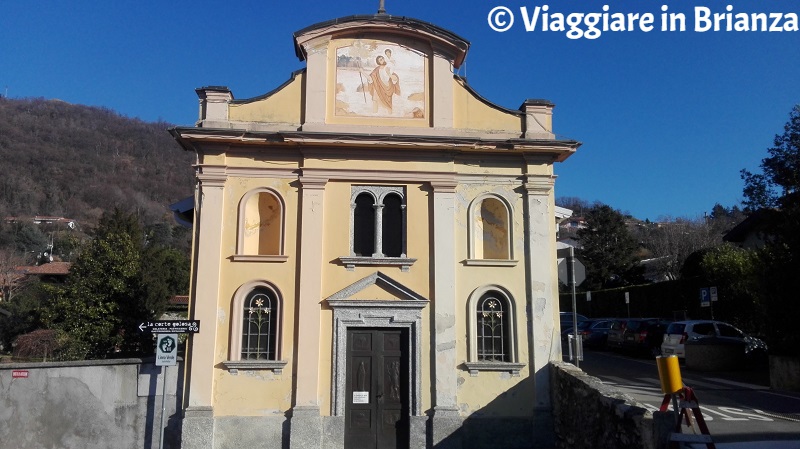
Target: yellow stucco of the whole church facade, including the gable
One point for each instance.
(259, 393)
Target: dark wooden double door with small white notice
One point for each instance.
(377, 396)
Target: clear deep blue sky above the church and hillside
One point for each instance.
(667, 119)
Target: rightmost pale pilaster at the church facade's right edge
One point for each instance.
(542, 290)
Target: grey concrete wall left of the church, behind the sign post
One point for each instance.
(88, 404)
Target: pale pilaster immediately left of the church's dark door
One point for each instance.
(306, 428)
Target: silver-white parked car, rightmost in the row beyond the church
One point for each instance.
(680, 332)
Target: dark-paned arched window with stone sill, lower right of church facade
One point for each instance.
(492, 331)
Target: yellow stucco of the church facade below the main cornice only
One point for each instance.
(266, 393)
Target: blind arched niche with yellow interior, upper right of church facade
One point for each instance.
(490, 237)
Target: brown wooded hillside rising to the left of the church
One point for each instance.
(75, 161)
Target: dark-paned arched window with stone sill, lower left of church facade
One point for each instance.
(256, 328)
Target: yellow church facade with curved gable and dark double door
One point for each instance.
(374, 257)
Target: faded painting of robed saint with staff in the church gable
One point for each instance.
(378, 79)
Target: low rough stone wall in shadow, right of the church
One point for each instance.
(589, 414)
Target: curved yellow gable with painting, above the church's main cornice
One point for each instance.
(377, 75)
